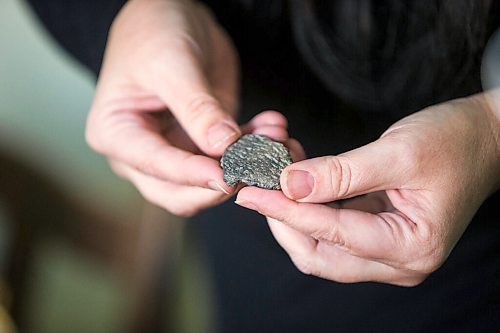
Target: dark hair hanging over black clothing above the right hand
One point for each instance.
(392, 54)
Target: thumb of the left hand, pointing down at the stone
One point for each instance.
(185, 89)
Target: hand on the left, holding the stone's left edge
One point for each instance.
(165, 103)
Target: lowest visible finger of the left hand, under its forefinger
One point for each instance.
(177, 199)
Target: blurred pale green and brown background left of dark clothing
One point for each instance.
(80, 250)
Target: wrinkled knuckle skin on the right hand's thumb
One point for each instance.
(340, 175)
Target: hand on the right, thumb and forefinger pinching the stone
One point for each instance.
(436, 167)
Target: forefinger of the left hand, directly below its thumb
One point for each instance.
(149, 153)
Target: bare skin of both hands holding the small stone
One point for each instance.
(164, 112)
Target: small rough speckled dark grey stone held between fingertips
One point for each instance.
(255, 160)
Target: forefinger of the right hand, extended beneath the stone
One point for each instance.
(362, 234)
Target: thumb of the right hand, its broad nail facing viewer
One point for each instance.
(380, 165)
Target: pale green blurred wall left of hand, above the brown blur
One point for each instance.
(44, 100)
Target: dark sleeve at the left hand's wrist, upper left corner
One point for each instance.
(81, 27)
